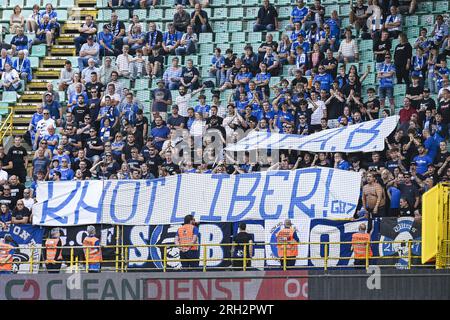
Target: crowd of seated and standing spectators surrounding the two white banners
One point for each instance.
(104, 134)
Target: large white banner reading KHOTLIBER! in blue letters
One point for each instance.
(311, 193)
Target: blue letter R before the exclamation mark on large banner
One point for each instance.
(299, 201)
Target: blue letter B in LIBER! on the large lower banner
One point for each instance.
(250, 198)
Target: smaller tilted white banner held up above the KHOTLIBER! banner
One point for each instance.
(365, 137)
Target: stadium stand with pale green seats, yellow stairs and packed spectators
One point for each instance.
(330, 63)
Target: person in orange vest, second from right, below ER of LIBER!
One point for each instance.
(287, 244)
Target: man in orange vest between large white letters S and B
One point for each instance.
(187, 240)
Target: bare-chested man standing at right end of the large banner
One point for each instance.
(373, 196)
